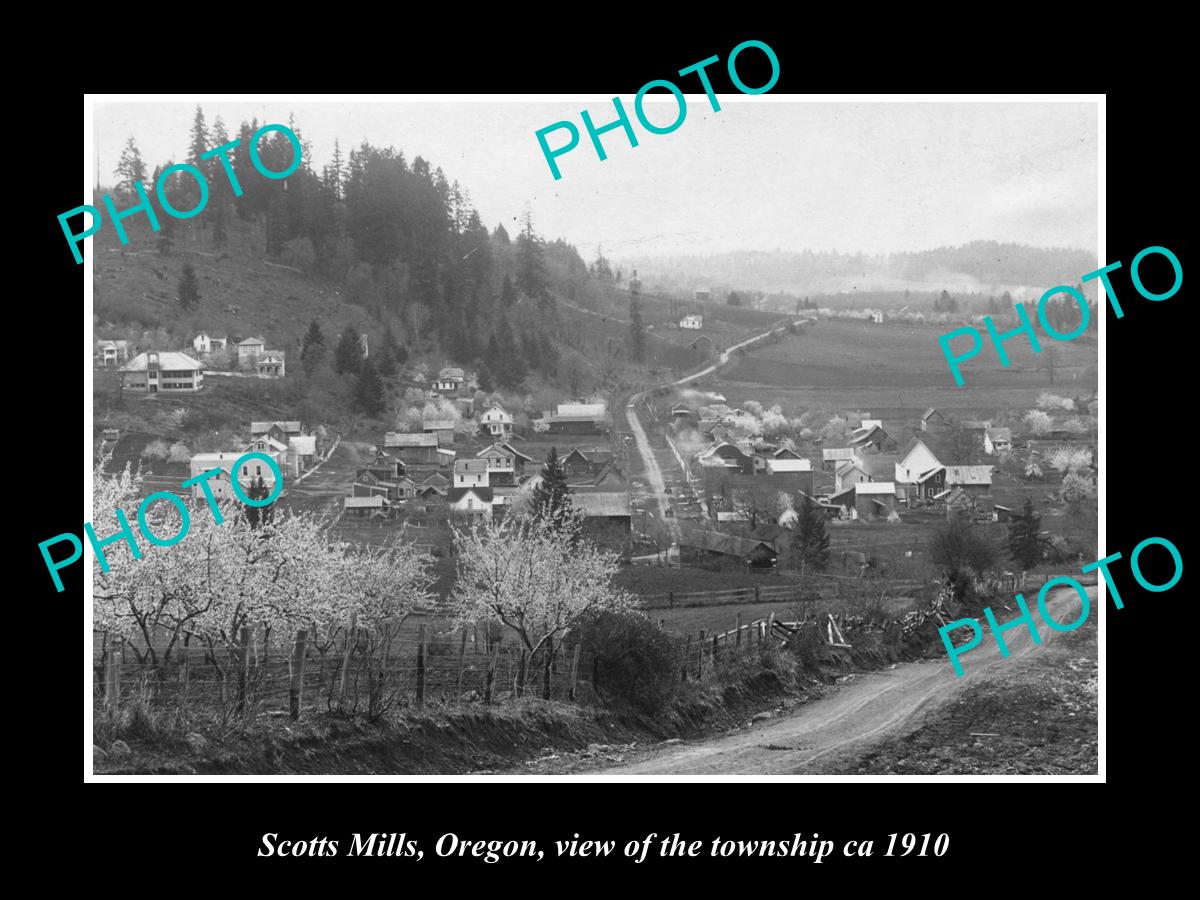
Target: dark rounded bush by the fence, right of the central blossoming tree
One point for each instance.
(639, 663)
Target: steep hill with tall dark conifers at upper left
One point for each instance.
(376, 242)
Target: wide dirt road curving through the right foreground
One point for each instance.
(867, 709)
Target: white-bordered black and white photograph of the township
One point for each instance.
(473, 437)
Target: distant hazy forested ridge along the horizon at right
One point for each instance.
(983, 265)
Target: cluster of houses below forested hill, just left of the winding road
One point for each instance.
(433, 471)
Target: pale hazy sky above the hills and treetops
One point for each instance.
(764, 173)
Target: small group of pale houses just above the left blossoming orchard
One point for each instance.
(286, 442)
